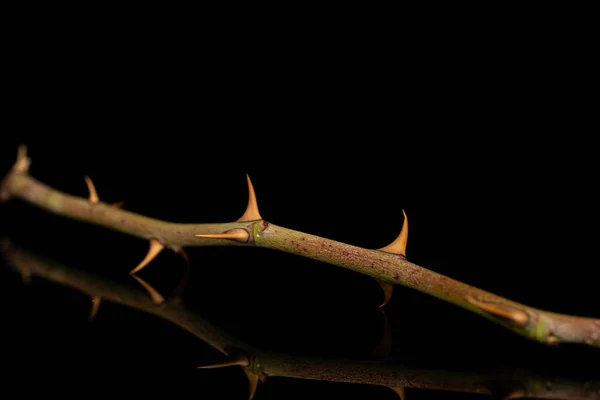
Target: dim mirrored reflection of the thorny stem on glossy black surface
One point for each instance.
(509, 383)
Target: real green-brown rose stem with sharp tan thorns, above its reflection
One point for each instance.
(388, 264)
